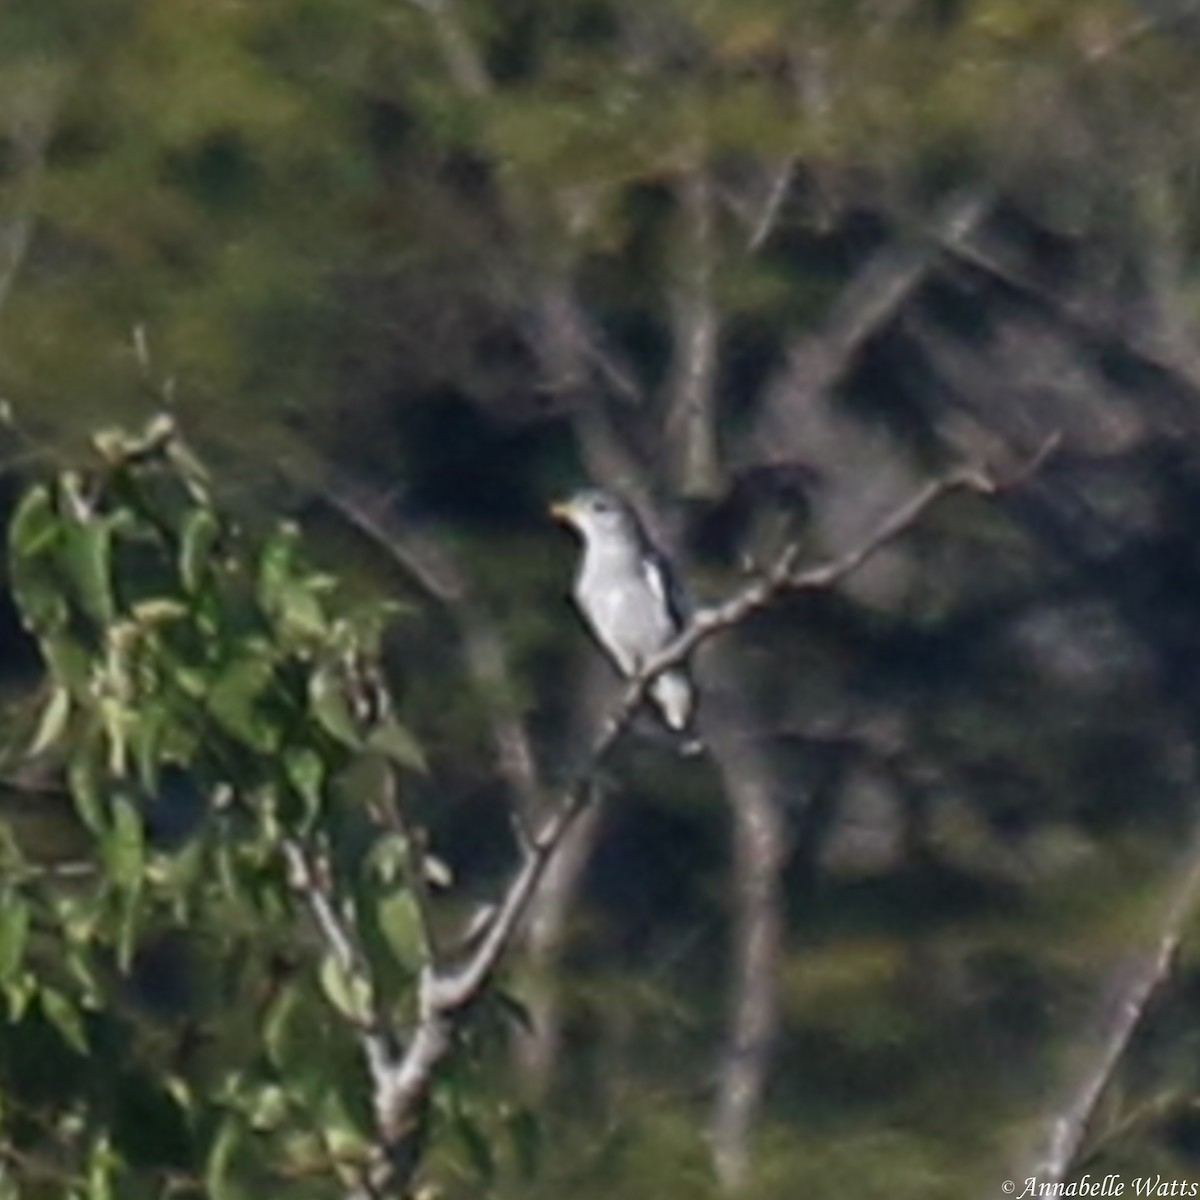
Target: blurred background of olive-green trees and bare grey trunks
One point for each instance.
(406, 268)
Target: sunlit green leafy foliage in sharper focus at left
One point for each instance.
(208, 700)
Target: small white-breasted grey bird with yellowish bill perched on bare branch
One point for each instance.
(631, 598)
